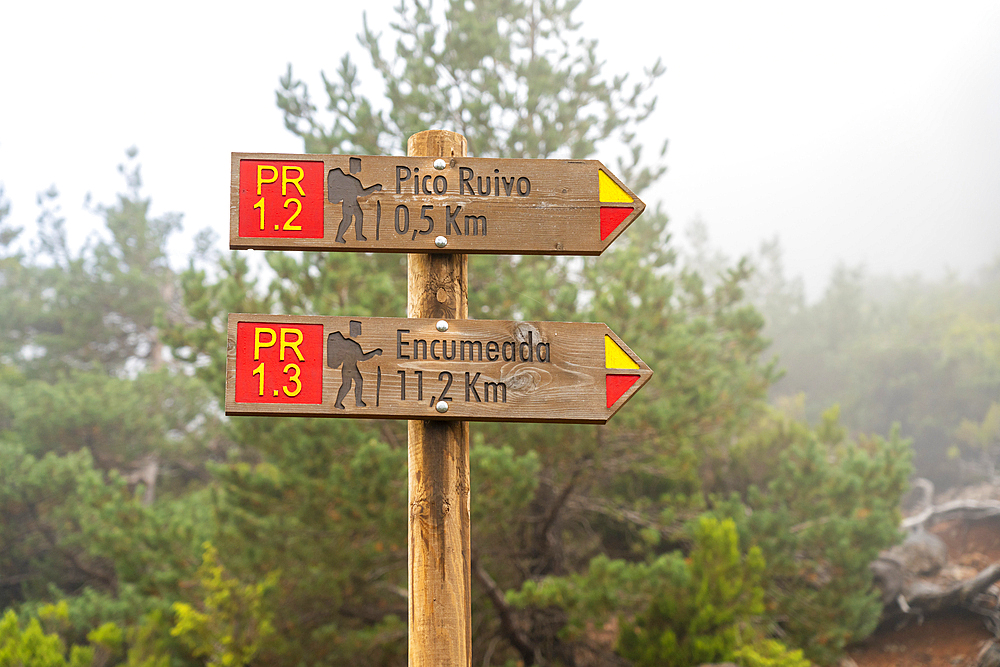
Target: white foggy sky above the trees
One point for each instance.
(863, 132)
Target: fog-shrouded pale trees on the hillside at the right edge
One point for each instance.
(888, 351)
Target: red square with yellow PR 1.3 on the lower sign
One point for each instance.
(279, 363)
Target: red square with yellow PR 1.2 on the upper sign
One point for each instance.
(281, 199)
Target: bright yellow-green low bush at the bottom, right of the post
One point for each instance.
(674, 610)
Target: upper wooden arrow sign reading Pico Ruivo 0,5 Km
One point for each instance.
(423, 205)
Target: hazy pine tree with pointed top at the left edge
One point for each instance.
(104, 440)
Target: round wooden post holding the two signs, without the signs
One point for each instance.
(438, 531)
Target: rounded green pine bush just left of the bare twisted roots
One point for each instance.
(820, 513)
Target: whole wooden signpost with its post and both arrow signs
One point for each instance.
(437, 369)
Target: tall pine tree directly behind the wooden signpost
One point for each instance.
(526, 90)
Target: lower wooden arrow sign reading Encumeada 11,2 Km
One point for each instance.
(397, 368)
